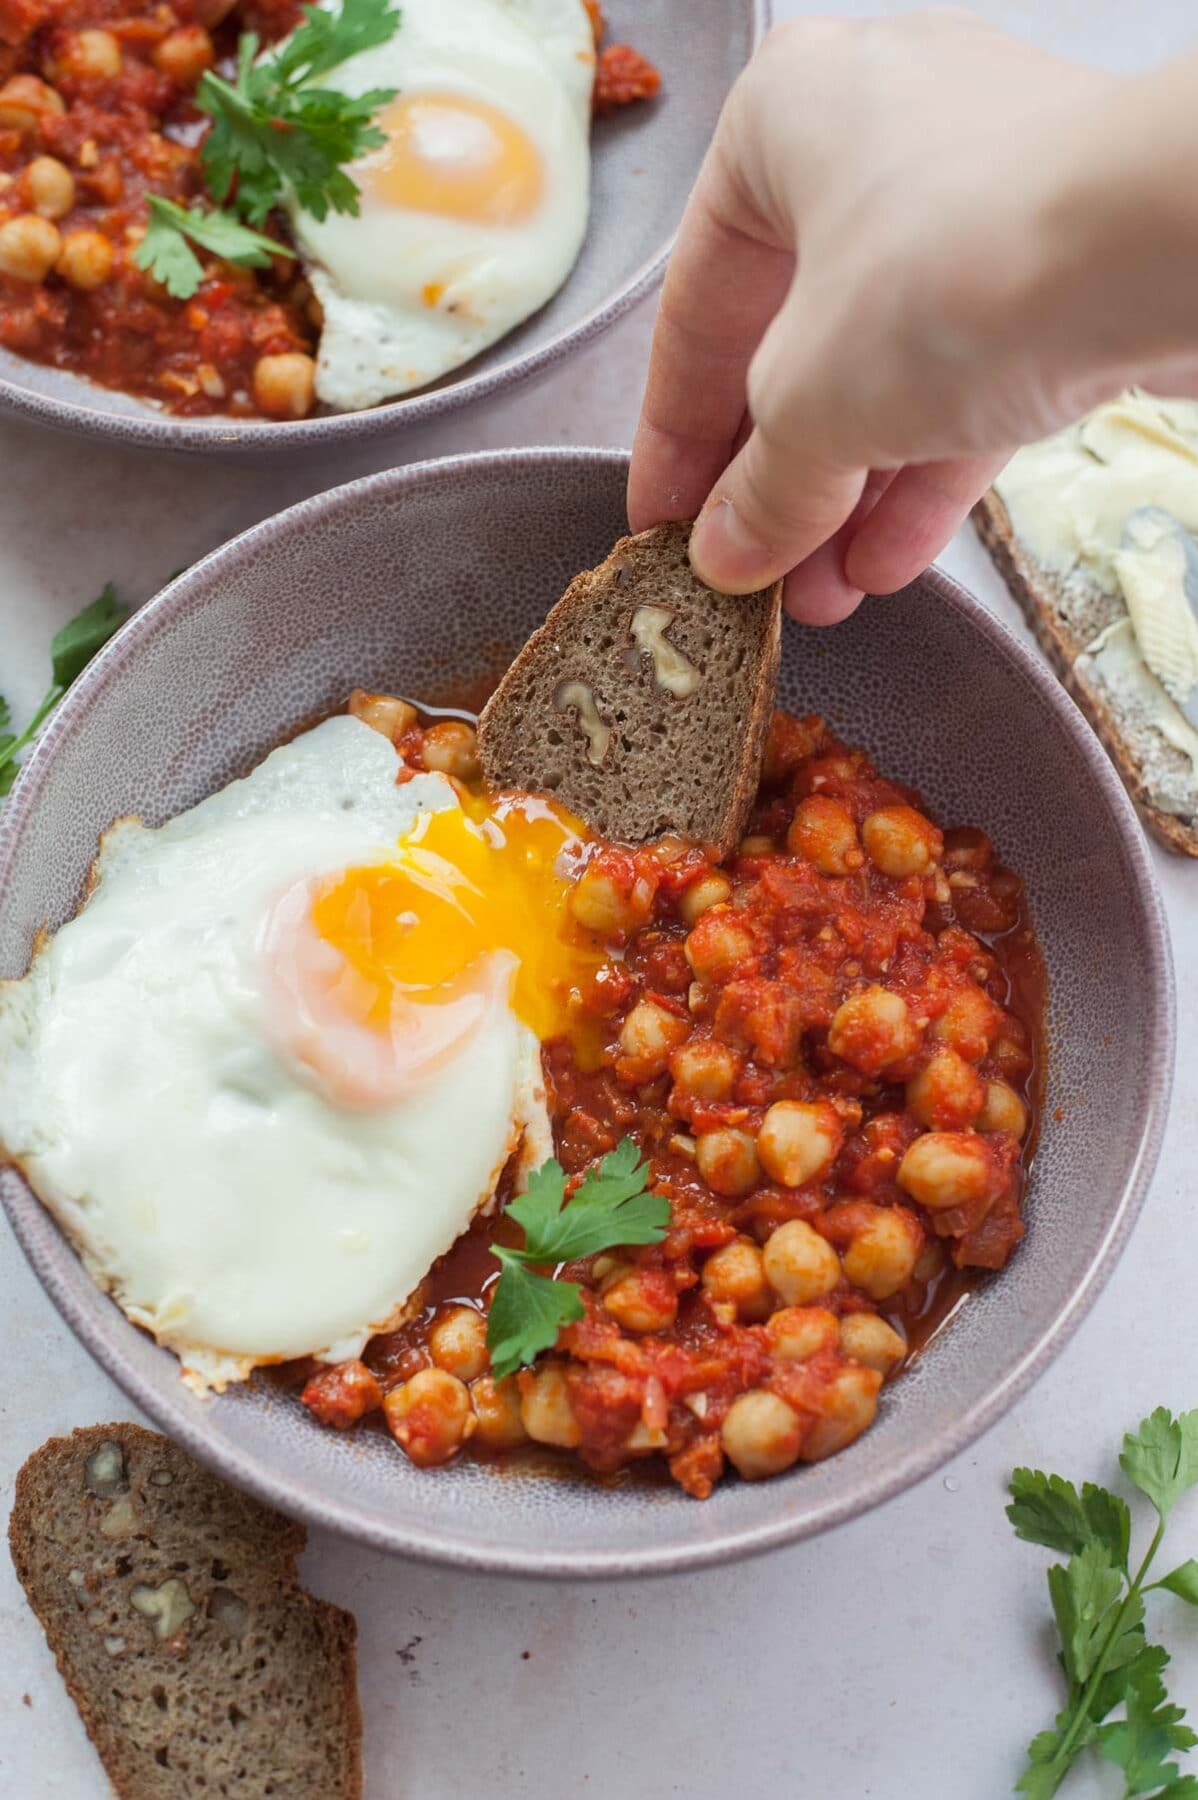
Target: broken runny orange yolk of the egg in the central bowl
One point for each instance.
(380, 975)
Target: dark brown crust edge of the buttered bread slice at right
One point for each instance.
(1033, 591)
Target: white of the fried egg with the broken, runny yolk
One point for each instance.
(211, 1185)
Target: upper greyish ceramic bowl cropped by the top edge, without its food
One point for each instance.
(645, 166)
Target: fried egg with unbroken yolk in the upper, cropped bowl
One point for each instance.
(474, 210)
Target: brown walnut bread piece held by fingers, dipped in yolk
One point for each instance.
(641, 723)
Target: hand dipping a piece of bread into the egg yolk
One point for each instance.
(983, 233)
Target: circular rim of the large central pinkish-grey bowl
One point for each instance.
(431, 1543)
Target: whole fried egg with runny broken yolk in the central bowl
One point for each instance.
(287, 1048)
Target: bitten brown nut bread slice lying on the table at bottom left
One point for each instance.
(199, 1664)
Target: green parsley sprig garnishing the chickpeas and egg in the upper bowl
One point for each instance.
(273, 132)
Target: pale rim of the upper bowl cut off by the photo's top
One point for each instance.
(262, 440)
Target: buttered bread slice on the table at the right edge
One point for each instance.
(1075, 526)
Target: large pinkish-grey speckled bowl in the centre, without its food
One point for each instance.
(436, 573)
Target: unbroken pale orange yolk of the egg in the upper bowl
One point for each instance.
(456, 156)
